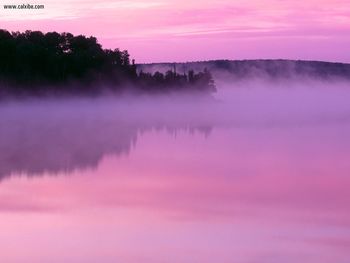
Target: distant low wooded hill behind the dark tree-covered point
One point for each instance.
(262, 68)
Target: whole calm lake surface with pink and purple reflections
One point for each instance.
(256, 176)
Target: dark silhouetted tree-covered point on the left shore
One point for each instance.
(33, 61)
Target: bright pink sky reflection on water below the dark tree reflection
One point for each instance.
(238, 195)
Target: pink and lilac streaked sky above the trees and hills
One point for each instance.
(187, 30)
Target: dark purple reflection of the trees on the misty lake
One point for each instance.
(60, 137)
